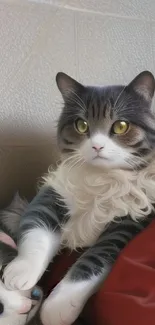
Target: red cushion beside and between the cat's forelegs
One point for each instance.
(128, 295)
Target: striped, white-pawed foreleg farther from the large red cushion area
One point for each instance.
(39, 240)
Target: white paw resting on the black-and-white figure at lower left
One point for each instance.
(20, 274)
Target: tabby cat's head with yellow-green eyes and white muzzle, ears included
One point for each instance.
(110, 127)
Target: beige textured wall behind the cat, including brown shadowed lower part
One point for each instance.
(96, 41)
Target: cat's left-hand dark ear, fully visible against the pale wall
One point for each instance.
(67, 85)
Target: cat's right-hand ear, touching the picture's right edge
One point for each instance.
(144, 85)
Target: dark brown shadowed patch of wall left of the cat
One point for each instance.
(24, 158)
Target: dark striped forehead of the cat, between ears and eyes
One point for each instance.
(114, 102)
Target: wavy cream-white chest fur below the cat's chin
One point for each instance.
(95, 197)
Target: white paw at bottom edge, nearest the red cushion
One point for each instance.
(60, 309)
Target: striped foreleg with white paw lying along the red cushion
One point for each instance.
(67, 300)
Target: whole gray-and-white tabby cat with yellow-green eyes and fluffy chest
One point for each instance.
(99, 195)
